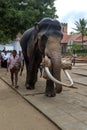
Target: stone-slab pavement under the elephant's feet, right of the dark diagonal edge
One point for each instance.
(68, 109)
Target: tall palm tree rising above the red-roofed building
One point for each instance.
(81, 27)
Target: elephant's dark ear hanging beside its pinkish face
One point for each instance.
(42, 43)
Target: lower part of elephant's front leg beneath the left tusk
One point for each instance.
(50, 91)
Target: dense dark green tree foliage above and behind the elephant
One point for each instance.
(17, 17)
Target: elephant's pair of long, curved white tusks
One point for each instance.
(57, 81)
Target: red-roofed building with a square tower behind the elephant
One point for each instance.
(69, 39)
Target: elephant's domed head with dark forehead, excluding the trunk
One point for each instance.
(48, 34)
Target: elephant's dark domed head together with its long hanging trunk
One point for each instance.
(49, 38)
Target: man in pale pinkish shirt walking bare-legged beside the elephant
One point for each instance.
(14, 64)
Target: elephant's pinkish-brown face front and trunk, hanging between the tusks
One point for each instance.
(53, 50)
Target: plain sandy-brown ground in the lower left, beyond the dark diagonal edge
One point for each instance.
(17, 114)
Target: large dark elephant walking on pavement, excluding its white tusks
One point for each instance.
(40, 41)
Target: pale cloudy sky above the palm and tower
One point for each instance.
(70, 11)
